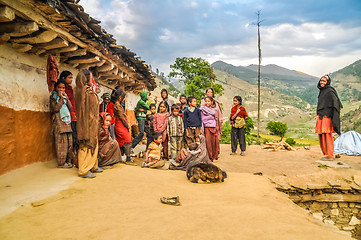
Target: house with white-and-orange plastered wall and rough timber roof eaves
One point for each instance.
(30, 30)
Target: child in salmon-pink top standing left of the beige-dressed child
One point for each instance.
(160, 123)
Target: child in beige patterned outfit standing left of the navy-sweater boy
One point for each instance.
(175, 130)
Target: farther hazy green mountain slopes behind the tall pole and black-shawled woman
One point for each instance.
(295, 83)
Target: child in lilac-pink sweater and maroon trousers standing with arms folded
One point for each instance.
(209, 120)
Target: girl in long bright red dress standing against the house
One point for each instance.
(121, 126)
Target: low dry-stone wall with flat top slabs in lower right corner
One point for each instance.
(334, 200)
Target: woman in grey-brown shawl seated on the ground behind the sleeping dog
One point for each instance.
(201, 156)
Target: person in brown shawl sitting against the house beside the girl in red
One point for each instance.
(109, 152)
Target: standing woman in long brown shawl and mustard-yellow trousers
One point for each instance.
(87, 113)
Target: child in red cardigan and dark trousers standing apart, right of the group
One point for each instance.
(238, 120)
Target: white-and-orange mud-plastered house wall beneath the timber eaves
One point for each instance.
(25, 126)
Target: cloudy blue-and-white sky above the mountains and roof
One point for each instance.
(313, 36)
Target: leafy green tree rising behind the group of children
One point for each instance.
(196, 74)
